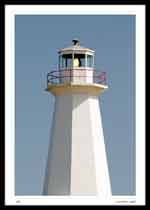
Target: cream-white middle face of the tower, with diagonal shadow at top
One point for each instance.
(83, 177)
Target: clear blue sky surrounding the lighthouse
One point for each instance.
(37, 40)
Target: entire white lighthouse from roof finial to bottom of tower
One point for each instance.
(77, 161)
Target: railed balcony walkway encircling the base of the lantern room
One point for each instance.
(76, 76)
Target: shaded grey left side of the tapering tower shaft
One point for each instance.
(57, 179)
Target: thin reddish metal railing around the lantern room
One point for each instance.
(56, 77)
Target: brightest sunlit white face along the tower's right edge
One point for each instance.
(102, 174)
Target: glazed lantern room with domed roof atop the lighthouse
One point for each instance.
(76, 64)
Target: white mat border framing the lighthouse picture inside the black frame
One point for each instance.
(10, 12)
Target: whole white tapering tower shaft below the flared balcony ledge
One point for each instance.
(77, 162)
